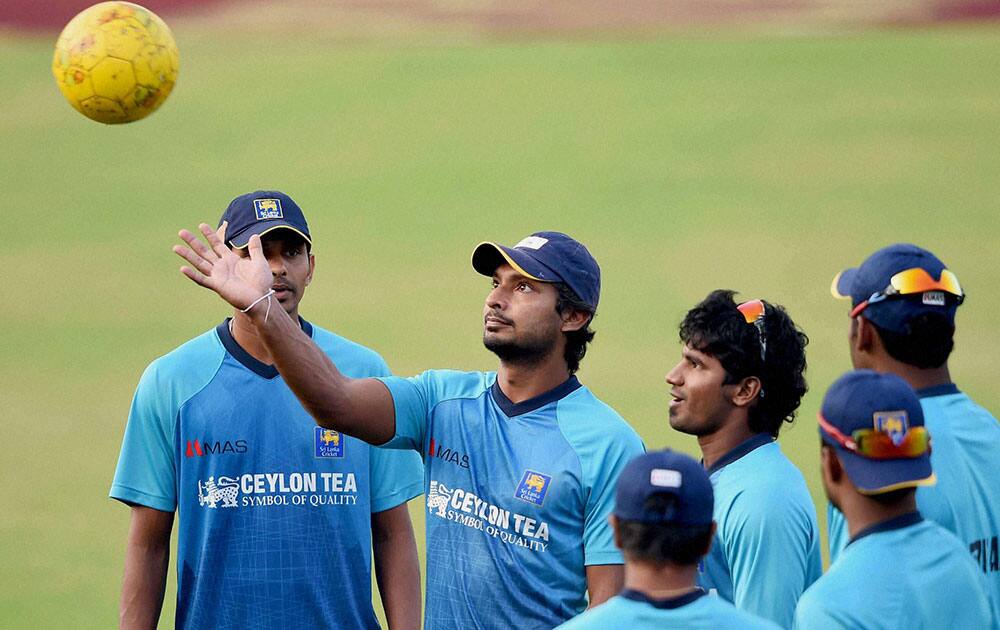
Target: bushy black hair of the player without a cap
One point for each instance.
(715, 327)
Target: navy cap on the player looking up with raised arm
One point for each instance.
(546, 257)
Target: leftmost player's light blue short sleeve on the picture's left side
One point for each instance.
(146, 473)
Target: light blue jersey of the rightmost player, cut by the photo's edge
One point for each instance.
(965, 457)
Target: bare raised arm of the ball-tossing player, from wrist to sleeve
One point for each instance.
(359, 407)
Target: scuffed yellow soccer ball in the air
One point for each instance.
(115, 62)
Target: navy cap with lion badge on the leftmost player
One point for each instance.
(260, 212)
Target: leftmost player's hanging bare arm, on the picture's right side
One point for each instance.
(397, 569)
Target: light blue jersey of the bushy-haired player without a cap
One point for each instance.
(766, 548)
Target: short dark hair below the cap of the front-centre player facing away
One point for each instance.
(662, 543)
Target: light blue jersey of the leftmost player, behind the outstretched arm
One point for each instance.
(274, 512)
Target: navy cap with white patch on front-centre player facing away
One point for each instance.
(665, 472)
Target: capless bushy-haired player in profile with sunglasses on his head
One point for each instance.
(739, 379)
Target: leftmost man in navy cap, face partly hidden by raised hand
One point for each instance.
(277, 518)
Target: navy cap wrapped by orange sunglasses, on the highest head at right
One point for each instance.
(873, 276)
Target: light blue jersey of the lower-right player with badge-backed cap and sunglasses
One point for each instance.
(903, 573)
